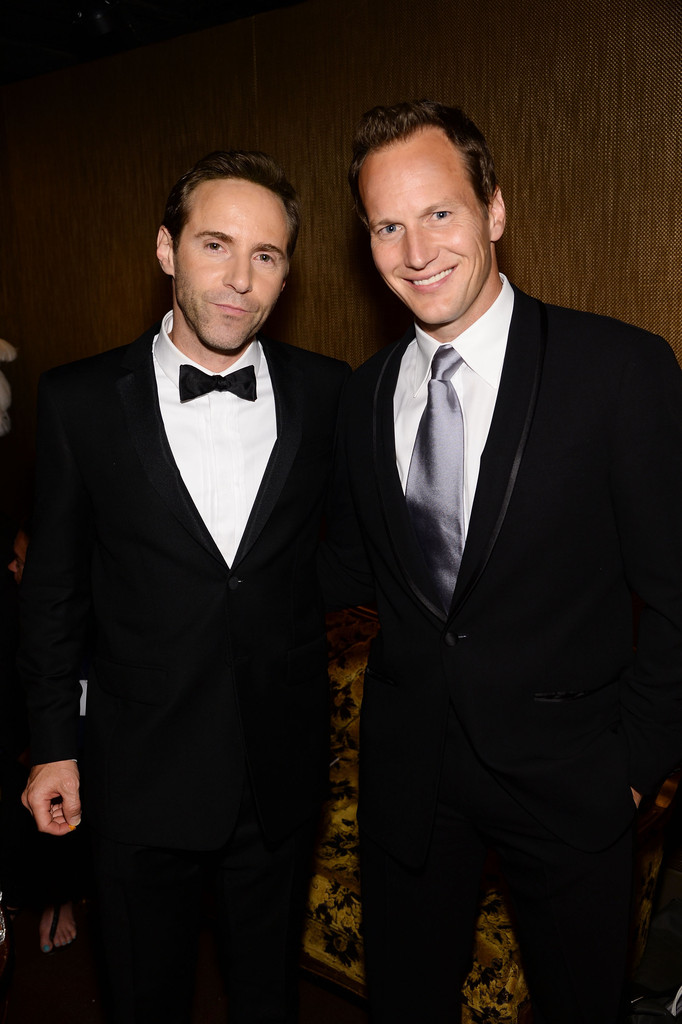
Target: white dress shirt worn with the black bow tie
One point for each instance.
(222, 444)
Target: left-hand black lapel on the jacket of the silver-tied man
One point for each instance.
(399, 526)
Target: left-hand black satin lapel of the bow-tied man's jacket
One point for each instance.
(138, 390)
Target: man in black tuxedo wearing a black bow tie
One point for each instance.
(180, 488)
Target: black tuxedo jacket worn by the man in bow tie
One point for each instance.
(199, 669)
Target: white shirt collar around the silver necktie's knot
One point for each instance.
(482, 347)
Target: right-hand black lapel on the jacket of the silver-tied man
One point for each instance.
(506, 442)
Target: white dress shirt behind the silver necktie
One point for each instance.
(477, 381)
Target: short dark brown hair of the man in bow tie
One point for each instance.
(247, 166)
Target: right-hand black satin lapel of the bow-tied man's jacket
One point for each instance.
(289, 388)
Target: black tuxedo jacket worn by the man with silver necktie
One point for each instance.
(578, 502)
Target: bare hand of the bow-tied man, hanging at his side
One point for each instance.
(53, 797)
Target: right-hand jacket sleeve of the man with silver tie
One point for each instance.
(647, 485)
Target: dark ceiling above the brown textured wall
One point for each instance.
(40, 36)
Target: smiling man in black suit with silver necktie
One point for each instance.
(503, 705)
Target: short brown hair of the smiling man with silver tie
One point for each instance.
(383, 125)
